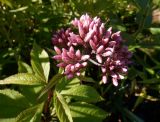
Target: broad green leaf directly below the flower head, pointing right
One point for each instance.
(83, 93)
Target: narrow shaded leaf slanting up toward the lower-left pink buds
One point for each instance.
(51, 83)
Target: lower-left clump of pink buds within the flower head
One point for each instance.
(72, 61)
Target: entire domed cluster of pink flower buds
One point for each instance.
(99, 46)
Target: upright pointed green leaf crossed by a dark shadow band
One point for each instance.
(40, 62)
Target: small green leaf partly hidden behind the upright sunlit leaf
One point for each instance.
(24, 67)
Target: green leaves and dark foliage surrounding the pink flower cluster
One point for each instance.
(40, 93)
